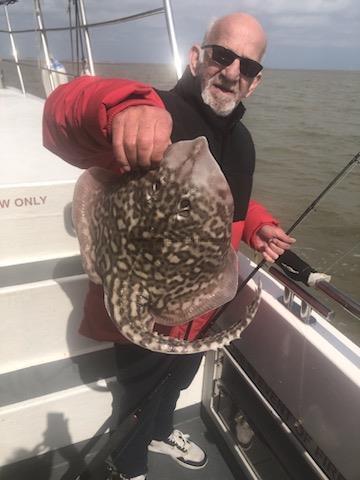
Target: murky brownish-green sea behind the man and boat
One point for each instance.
(306, 129)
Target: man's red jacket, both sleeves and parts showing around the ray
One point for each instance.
(77, 127)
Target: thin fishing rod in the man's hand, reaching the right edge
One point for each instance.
(337, 179)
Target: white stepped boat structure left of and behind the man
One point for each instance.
(46, 402)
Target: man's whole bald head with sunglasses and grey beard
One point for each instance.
(228, 62)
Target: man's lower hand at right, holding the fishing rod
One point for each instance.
(272, 241)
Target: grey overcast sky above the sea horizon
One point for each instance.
(308, 34)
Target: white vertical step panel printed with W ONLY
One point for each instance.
(35, 222)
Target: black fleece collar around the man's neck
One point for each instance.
(189, 88)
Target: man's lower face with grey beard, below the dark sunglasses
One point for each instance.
(223, 88)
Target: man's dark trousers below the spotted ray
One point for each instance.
(139, 371)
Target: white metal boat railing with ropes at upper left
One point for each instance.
(82, 28)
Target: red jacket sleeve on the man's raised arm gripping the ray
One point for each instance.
(77, 117)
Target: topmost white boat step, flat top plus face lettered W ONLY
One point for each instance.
(35, 187)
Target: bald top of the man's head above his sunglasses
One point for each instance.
(238, 31)
